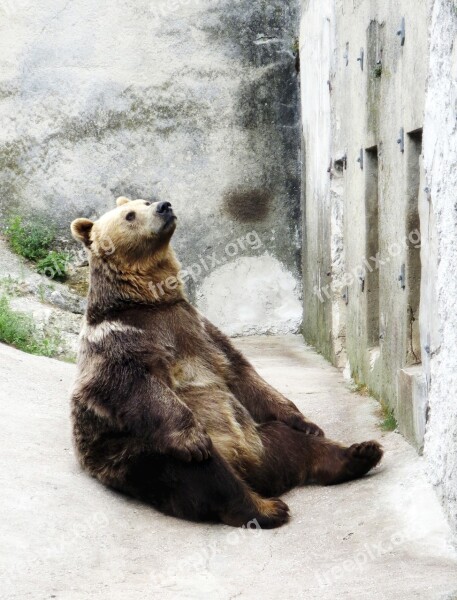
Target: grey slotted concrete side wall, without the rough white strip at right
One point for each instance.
(361, 88)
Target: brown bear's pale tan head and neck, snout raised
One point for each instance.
(129, 251)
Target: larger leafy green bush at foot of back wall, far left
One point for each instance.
(32, 240)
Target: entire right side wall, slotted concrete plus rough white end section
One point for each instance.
(380, 170)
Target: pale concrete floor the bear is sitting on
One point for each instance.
(64, 536)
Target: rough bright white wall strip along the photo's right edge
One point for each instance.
(439, 215)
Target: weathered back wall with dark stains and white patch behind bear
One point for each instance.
(192, 101)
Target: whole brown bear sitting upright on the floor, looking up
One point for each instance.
(165, 409)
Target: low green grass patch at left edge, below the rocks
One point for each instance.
(18, 329)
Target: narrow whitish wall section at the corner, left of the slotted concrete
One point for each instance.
(317, 39)
